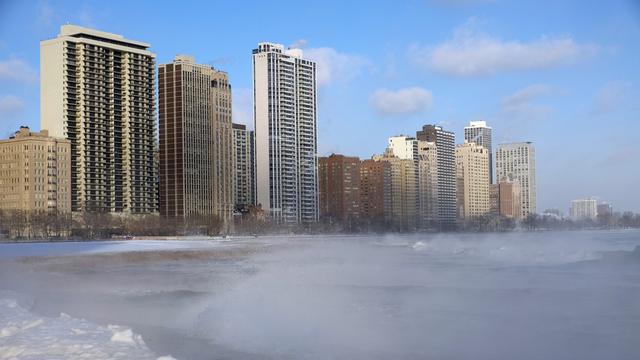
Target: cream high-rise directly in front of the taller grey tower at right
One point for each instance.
(472, 165)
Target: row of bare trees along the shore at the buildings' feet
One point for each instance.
(36, 225)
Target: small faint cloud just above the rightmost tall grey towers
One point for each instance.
(521, 105)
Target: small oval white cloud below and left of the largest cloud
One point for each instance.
(403, 101)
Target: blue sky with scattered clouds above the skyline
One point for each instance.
(563, 74)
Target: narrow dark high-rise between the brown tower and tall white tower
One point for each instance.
(243, 144)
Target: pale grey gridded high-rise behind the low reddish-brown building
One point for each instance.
(517, 162)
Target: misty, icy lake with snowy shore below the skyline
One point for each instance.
(564, 295)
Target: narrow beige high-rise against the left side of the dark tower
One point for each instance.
(428, 184)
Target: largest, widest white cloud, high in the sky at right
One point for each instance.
(473, 53)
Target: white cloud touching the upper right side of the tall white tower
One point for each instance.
(334, 66)
